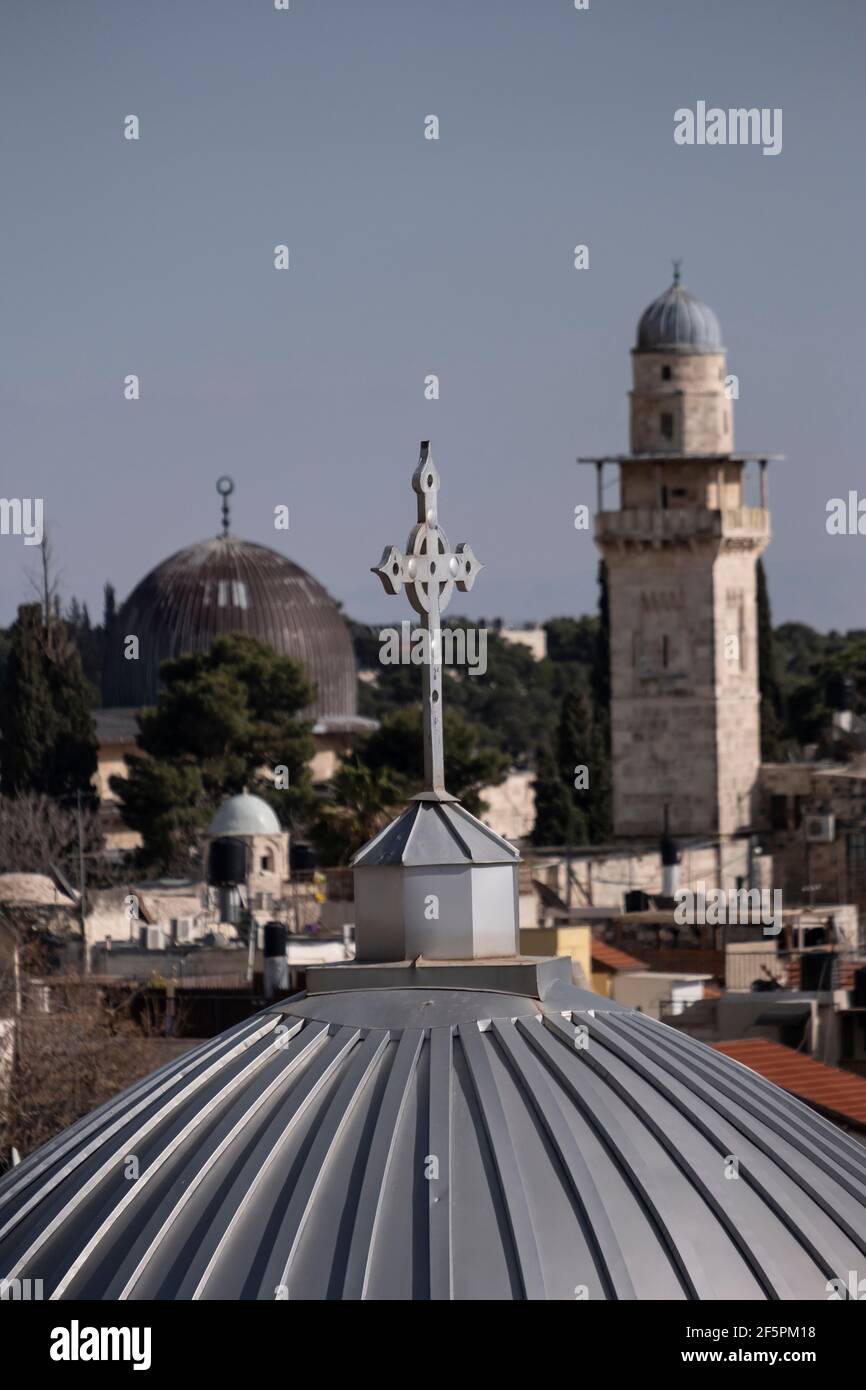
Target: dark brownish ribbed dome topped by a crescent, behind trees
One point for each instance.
(231, 586)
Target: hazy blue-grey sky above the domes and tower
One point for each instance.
(411, 258)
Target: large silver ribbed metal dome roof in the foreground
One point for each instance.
(443, 1145)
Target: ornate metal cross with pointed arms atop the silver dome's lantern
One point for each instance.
(430, 571)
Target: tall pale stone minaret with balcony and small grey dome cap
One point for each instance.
(682, 554)
